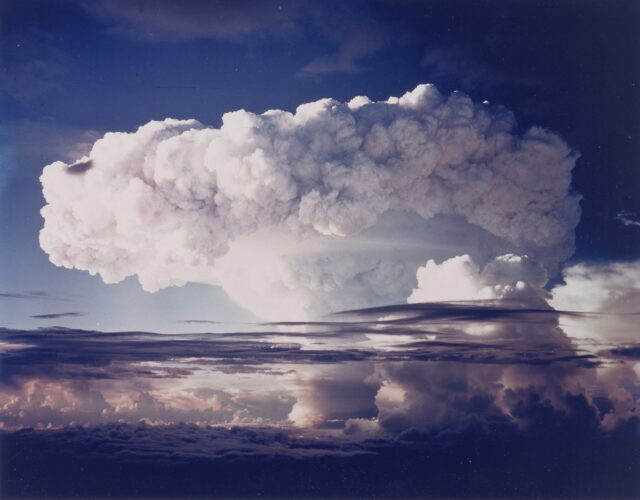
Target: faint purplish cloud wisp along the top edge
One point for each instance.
(350, 28)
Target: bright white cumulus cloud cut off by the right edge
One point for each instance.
(610, 290)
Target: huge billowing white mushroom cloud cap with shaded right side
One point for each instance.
(333, 206)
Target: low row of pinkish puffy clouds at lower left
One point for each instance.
(44, 404)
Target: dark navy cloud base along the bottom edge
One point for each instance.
(560, 456)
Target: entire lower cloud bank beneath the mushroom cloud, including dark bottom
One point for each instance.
(437, 412)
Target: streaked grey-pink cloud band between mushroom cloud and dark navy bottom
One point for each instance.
(392, 374)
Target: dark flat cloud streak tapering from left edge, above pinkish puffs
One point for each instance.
(63, 352)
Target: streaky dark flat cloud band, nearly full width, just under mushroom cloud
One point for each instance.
(435, 332)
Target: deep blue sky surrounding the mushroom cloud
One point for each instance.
(74, 70)
